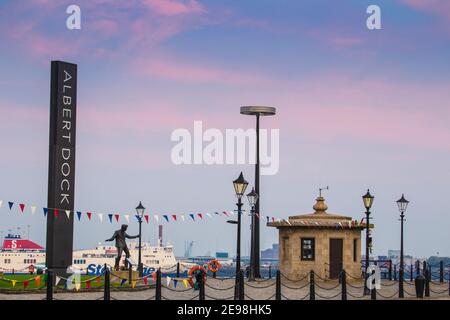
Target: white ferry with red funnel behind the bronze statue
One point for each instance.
(22, 256)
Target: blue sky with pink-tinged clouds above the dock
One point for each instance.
(356, 109)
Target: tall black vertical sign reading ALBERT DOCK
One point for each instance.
(61, 175)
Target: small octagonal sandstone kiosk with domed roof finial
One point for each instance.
(319, 241)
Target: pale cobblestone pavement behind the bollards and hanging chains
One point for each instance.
(224, 290)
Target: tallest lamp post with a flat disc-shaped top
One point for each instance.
(257, 111)
